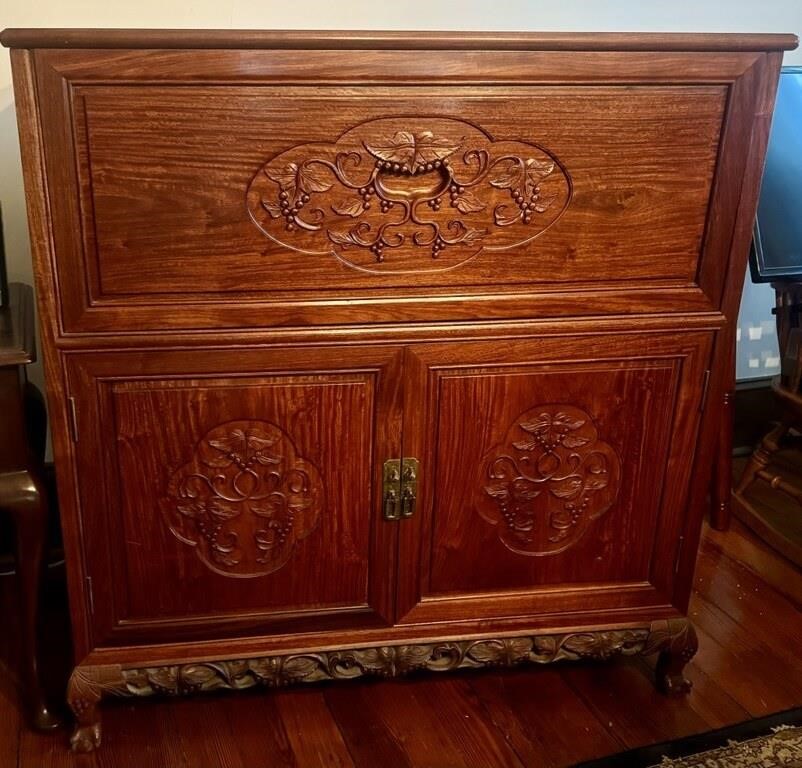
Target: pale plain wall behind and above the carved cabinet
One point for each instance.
(558, 15)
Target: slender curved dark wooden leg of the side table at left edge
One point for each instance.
(24, 498)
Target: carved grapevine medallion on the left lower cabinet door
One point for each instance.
(245, 499)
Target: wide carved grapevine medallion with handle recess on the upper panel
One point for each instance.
(408, 195)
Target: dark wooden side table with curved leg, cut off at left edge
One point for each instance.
(22, 491)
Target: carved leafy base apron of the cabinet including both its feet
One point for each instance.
(673, 639)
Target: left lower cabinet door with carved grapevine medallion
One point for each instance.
(226, 492)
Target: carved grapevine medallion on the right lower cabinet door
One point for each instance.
(548, 480)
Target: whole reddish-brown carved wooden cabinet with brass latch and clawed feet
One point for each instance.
(376, 352)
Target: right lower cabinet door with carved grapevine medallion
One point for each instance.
(553, 473)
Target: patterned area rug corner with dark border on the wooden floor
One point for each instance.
(769, 742)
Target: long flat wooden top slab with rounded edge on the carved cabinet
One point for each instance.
(368, 39)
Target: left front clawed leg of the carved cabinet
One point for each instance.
(84, 692)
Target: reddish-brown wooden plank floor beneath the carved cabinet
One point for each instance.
(746, 608)
